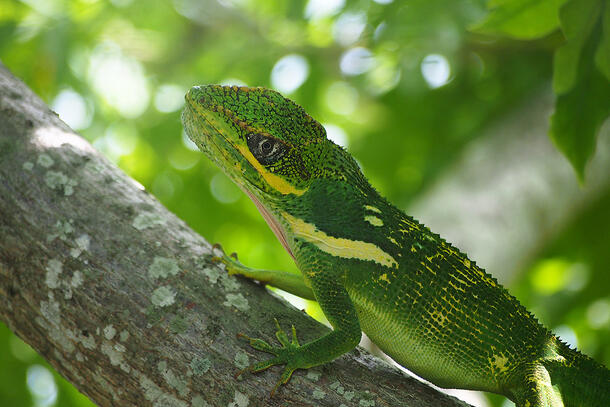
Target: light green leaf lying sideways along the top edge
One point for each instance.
(521, 19)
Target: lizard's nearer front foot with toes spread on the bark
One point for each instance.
(287, 354)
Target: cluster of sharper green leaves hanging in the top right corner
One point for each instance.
(581, 65)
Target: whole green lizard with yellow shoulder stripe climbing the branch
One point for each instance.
(373, 268)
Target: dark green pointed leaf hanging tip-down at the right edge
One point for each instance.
(580, 112)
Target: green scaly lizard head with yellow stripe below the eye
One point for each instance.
(264, 142)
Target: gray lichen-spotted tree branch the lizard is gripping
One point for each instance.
(122, 297)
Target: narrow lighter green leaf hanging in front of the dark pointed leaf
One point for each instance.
(577, 19)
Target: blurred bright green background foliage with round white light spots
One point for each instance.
(406, 86)
